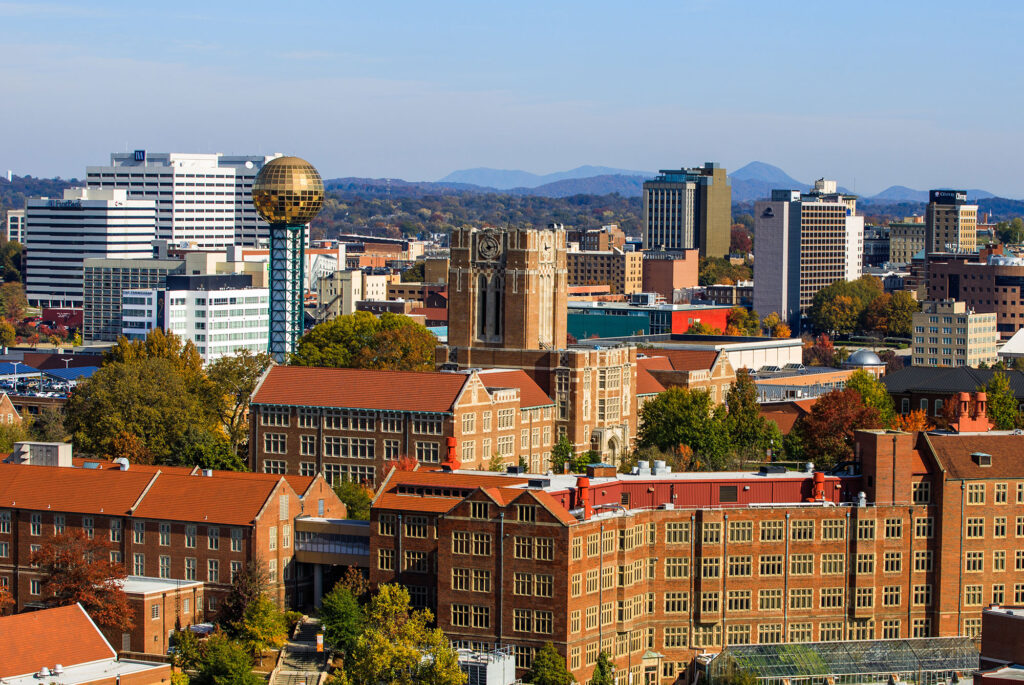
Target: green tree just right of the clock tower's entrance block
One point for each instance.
(684, 417)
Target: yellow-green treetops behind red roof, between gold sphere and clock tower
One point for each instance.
(363, 341)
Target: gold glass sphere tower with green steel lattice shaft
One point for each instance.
(288, 194)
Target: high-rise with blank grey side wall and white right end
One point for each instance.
(805, 242)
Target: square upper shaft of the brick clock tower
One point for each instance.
(507, 289)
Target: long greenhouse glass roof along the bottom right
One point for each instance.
(842, 659)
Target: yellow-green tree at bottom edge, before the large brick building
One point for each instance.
(398, 647)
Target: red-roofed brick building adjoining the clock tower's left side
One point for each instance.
(357, 424)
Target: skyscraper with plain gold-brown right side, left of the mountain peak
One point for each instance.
(685, 209)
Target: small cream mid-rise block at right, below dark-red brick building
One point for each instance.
(947, 333)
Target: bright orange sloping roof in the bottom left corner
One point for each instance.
(65, 635)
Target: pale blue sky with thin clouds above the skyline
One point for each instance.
(924, 95)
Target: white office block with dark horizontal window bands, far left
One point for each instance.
(61, 235)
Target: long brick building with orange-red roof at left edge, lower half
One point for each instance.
(164, 523)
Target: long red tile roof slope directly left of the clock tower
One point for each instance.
(360, 389)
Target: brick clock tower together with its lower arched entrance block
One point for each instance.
(507, 310)
